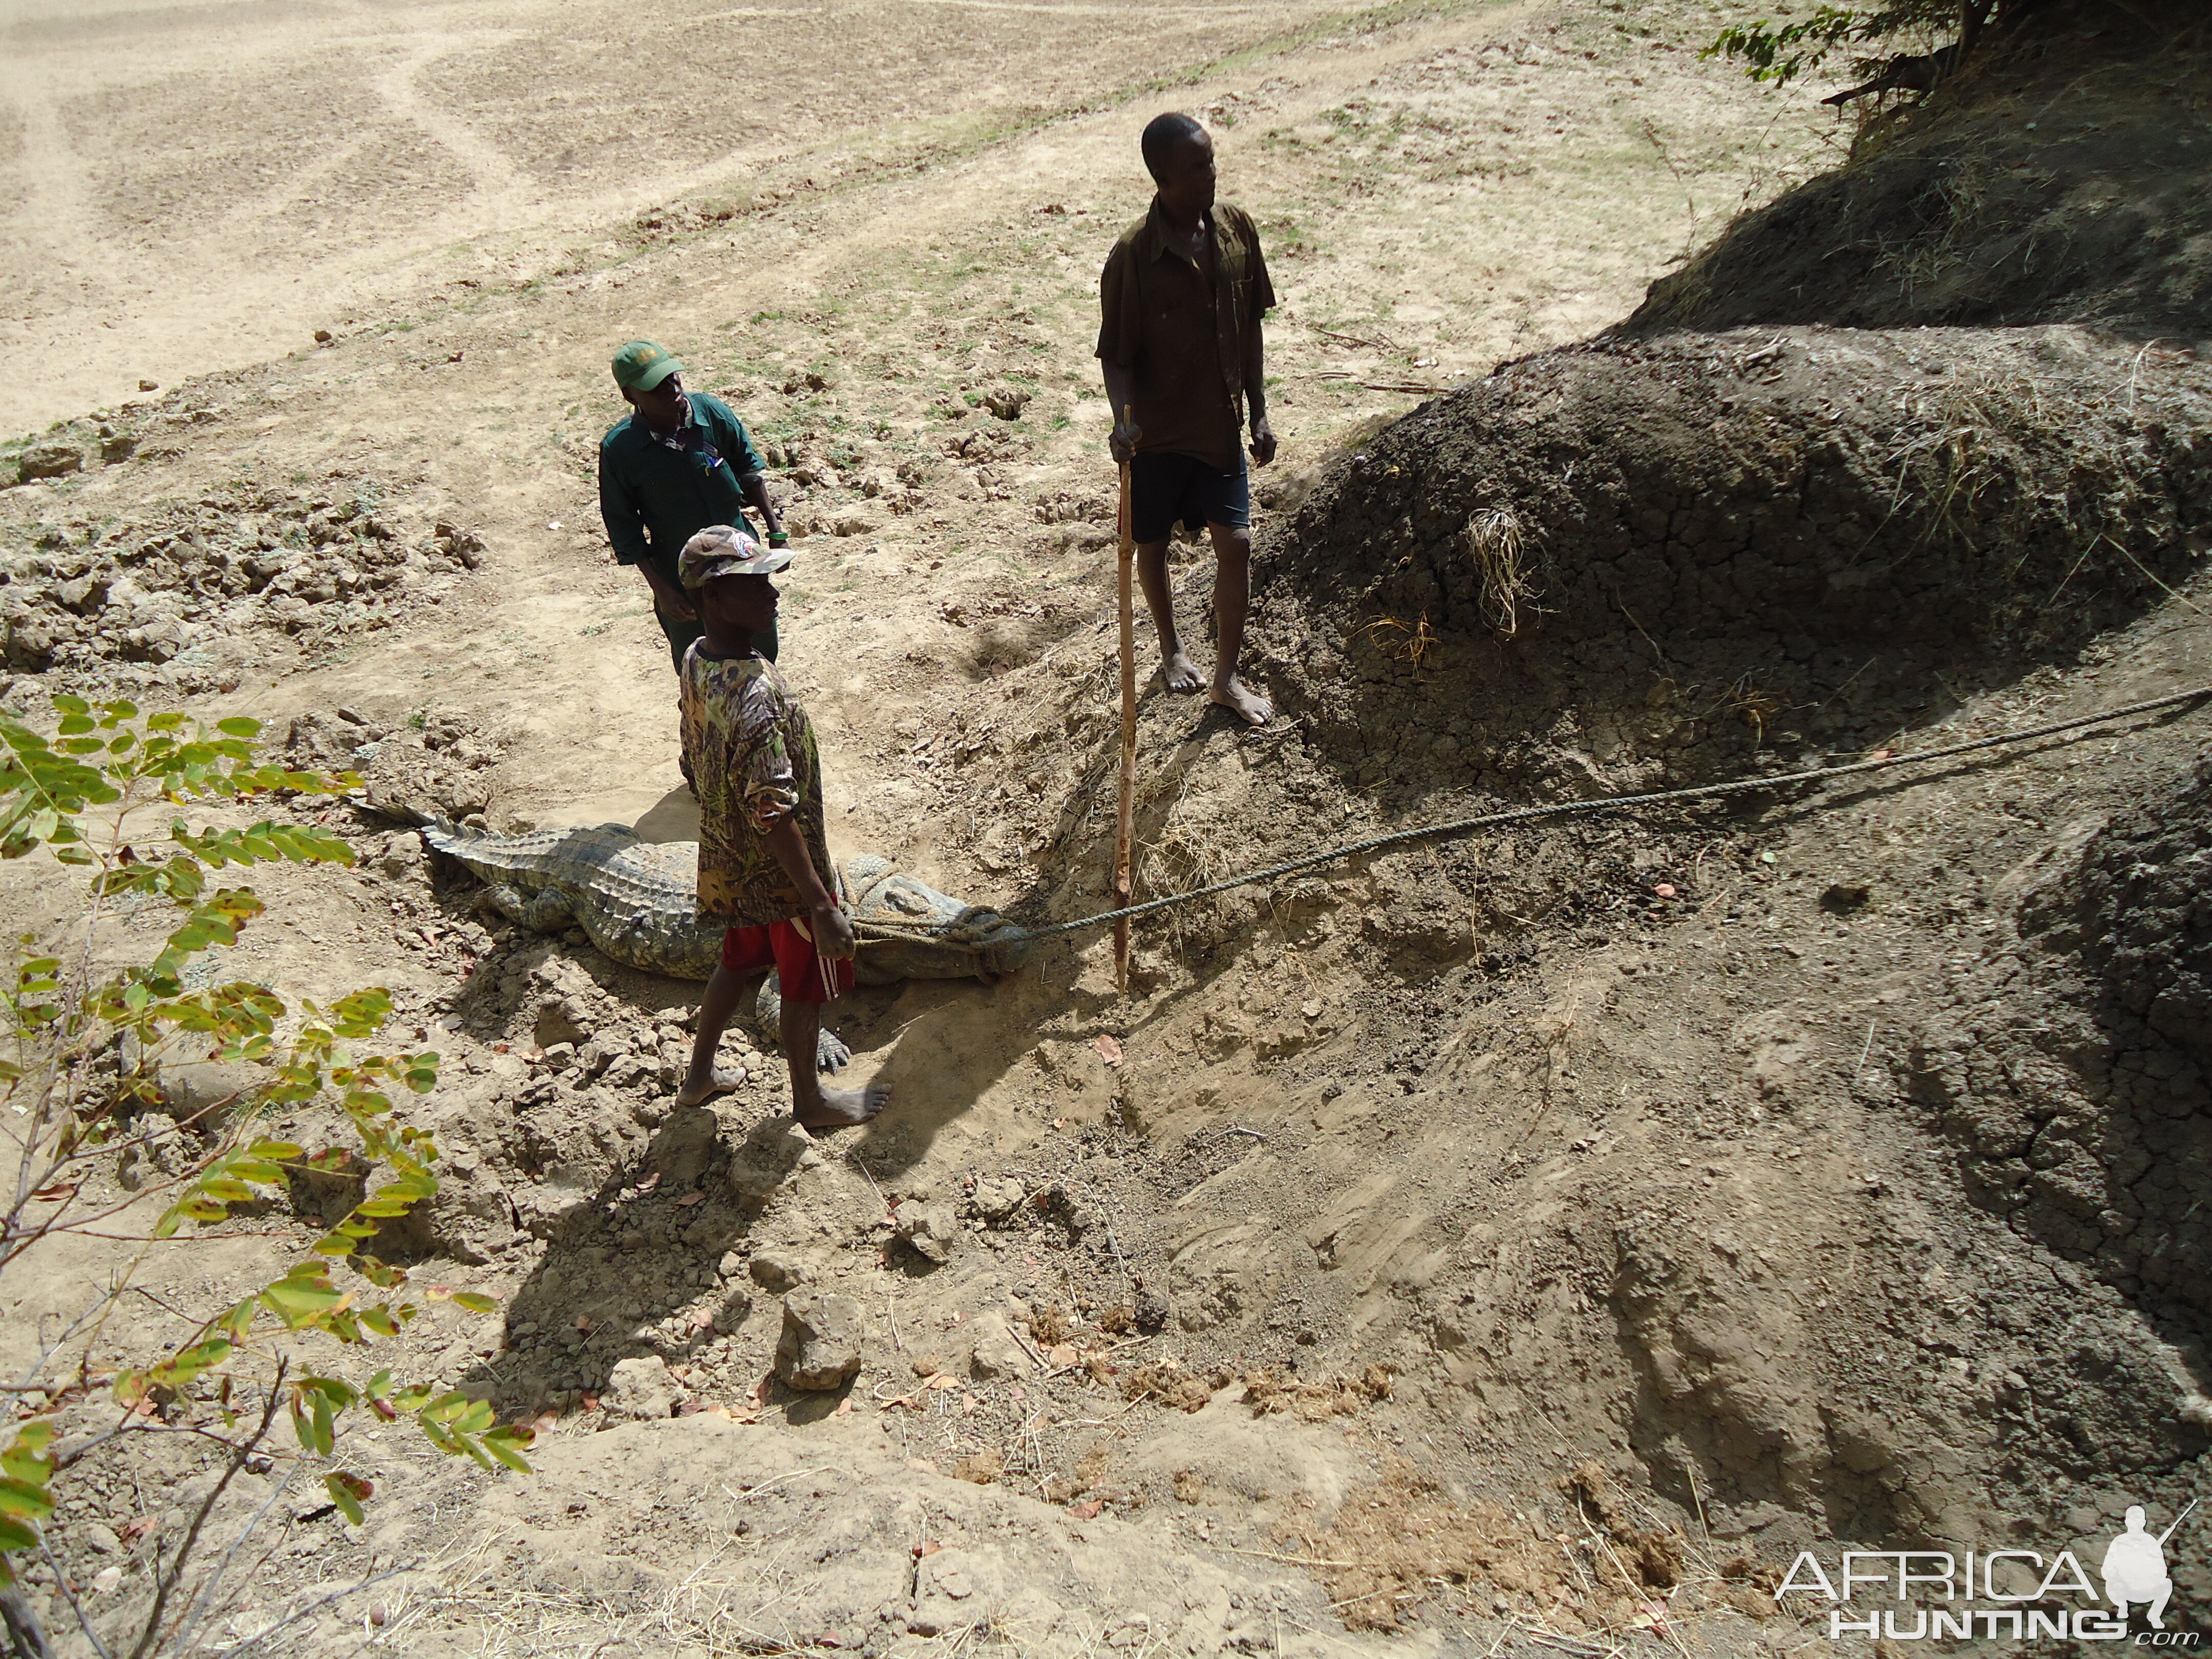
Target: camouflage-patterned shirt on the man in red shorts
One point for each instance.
(753, 760)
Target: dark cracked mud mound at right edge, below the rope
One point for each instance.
(2074, 1070)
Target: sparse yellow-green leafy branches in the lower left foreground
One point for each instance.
(83, 1054)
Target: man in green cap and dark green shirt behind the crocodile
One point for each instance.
(678, 463)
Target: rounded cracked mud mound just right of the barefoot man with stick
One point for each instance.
(1653, 559)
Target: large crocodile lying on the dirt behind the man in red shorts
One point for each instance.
(638, 904)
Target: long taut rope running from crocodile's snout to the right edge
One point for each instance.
(1556, 811)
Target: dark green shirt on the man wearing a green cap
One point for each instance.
(656, 499)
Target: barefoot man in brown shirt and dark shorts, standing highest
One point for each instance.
(1182, 298)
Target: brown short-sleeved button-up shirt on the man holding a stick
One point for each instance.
(1182, 344)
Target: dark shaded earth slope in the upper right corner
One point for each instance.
(2065, 178)
